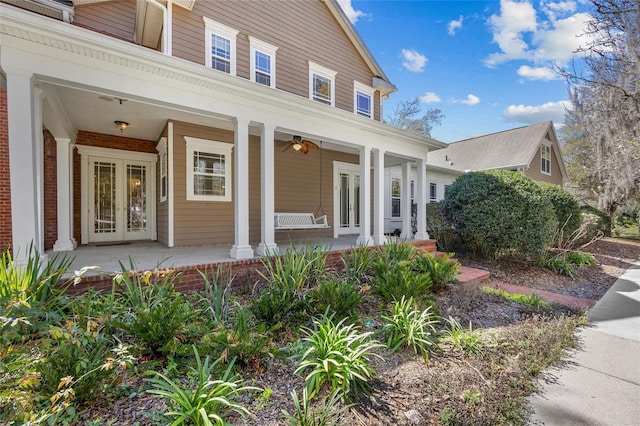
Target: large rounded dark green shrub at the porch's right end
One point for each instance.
(500, 213)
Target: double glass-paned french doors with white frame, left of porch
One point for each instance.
(118, 195)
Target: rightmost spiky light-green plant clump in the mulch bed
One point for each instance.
(408, 326)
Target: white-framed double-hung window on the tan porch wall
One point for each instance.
(208, 170)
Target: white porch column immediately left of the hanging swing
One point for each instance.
(267, 244)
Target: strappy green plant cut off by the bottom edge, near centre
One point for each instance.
(306, 415)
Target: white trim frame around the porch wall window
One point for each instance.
(212, 147)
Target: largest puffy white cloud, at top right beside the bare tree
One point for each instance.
(520, 35)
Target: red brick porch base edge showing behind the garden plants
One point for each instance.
(245, 272)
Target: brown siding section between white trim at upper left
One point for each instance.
(117, 18)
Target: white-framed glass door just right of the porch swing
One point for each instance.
(347, 198)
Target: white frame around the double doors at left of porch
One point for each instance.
(87, 153)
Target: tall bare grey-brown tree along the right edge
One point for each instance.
(603, 132)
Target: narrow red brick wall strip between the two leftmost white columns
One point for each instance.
(50, 191)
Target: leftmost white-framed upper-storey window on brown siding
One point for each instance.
(220, 44)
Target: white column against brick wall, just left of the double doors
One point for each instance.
(64, 163)
